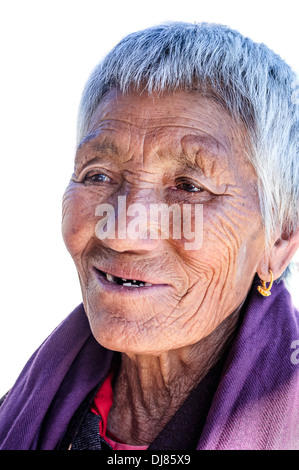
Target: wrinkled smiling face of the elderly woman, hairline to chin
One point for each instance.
(178, 148)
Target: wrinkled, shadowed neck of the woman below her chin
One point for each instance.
(150, 389)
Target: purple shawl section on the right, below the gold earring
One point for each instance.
(256, 405)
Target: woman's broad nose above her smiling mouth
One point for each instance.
(127, 227)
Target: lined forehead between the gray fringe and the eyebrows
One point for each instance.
(172, 124)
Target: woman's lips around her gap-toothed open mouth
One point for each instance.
(126, 274)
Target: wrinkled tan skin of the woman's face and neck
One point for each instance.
(177, 148)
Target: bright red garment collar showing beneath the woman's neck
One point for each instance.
(101, 407)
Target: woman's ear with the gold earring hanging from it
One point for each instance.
(278, 257)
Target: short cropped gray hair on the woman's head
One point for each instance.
(253, 83)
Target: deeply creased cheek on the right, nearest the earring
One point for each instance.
(232, 243)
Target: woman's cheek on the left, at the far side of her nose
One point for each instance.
(78, 219)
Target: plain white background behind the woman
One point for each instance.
(48, 49)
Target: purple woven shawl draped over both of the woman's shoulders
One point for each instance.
(255, 406)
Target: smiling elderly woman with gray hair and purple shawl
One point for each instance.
(181, 342)
